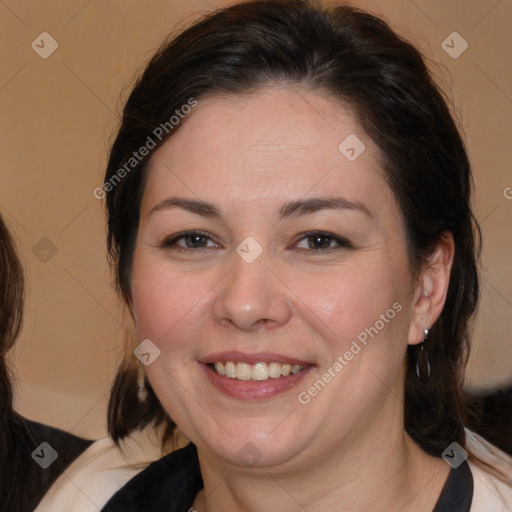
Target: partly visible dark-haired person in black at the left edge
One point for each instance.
(33, 455)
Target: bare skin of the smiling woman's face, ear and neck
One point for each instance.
(346, 449)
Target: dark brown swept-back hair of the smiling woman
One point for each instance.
(356, 58)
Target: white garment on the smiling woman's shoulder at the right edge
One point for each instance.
(491, 491)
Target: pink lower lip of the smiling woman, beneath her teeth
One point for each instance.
(253, 390)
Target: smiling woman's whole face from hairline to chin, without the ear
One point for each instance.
(269, 243)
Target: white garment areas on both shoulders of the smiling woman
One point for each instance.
(90, 481)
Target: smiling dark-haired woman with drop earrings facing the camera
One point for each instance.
(289, 223)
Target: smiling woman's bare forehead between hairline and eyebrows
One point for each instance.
(260, 146)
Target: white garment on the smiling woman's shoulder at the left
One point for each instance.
(100, 471)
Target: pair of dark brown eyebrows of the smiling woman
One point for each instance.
(292, 209)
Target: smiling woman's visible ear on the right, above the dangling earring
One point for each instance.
(431, 289)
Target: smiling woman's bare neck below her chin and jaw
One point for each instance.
(376, 467)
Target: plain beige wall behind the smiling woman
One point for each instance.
(58, 117)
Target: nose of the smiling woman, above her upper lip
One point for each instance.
(252, 297)
